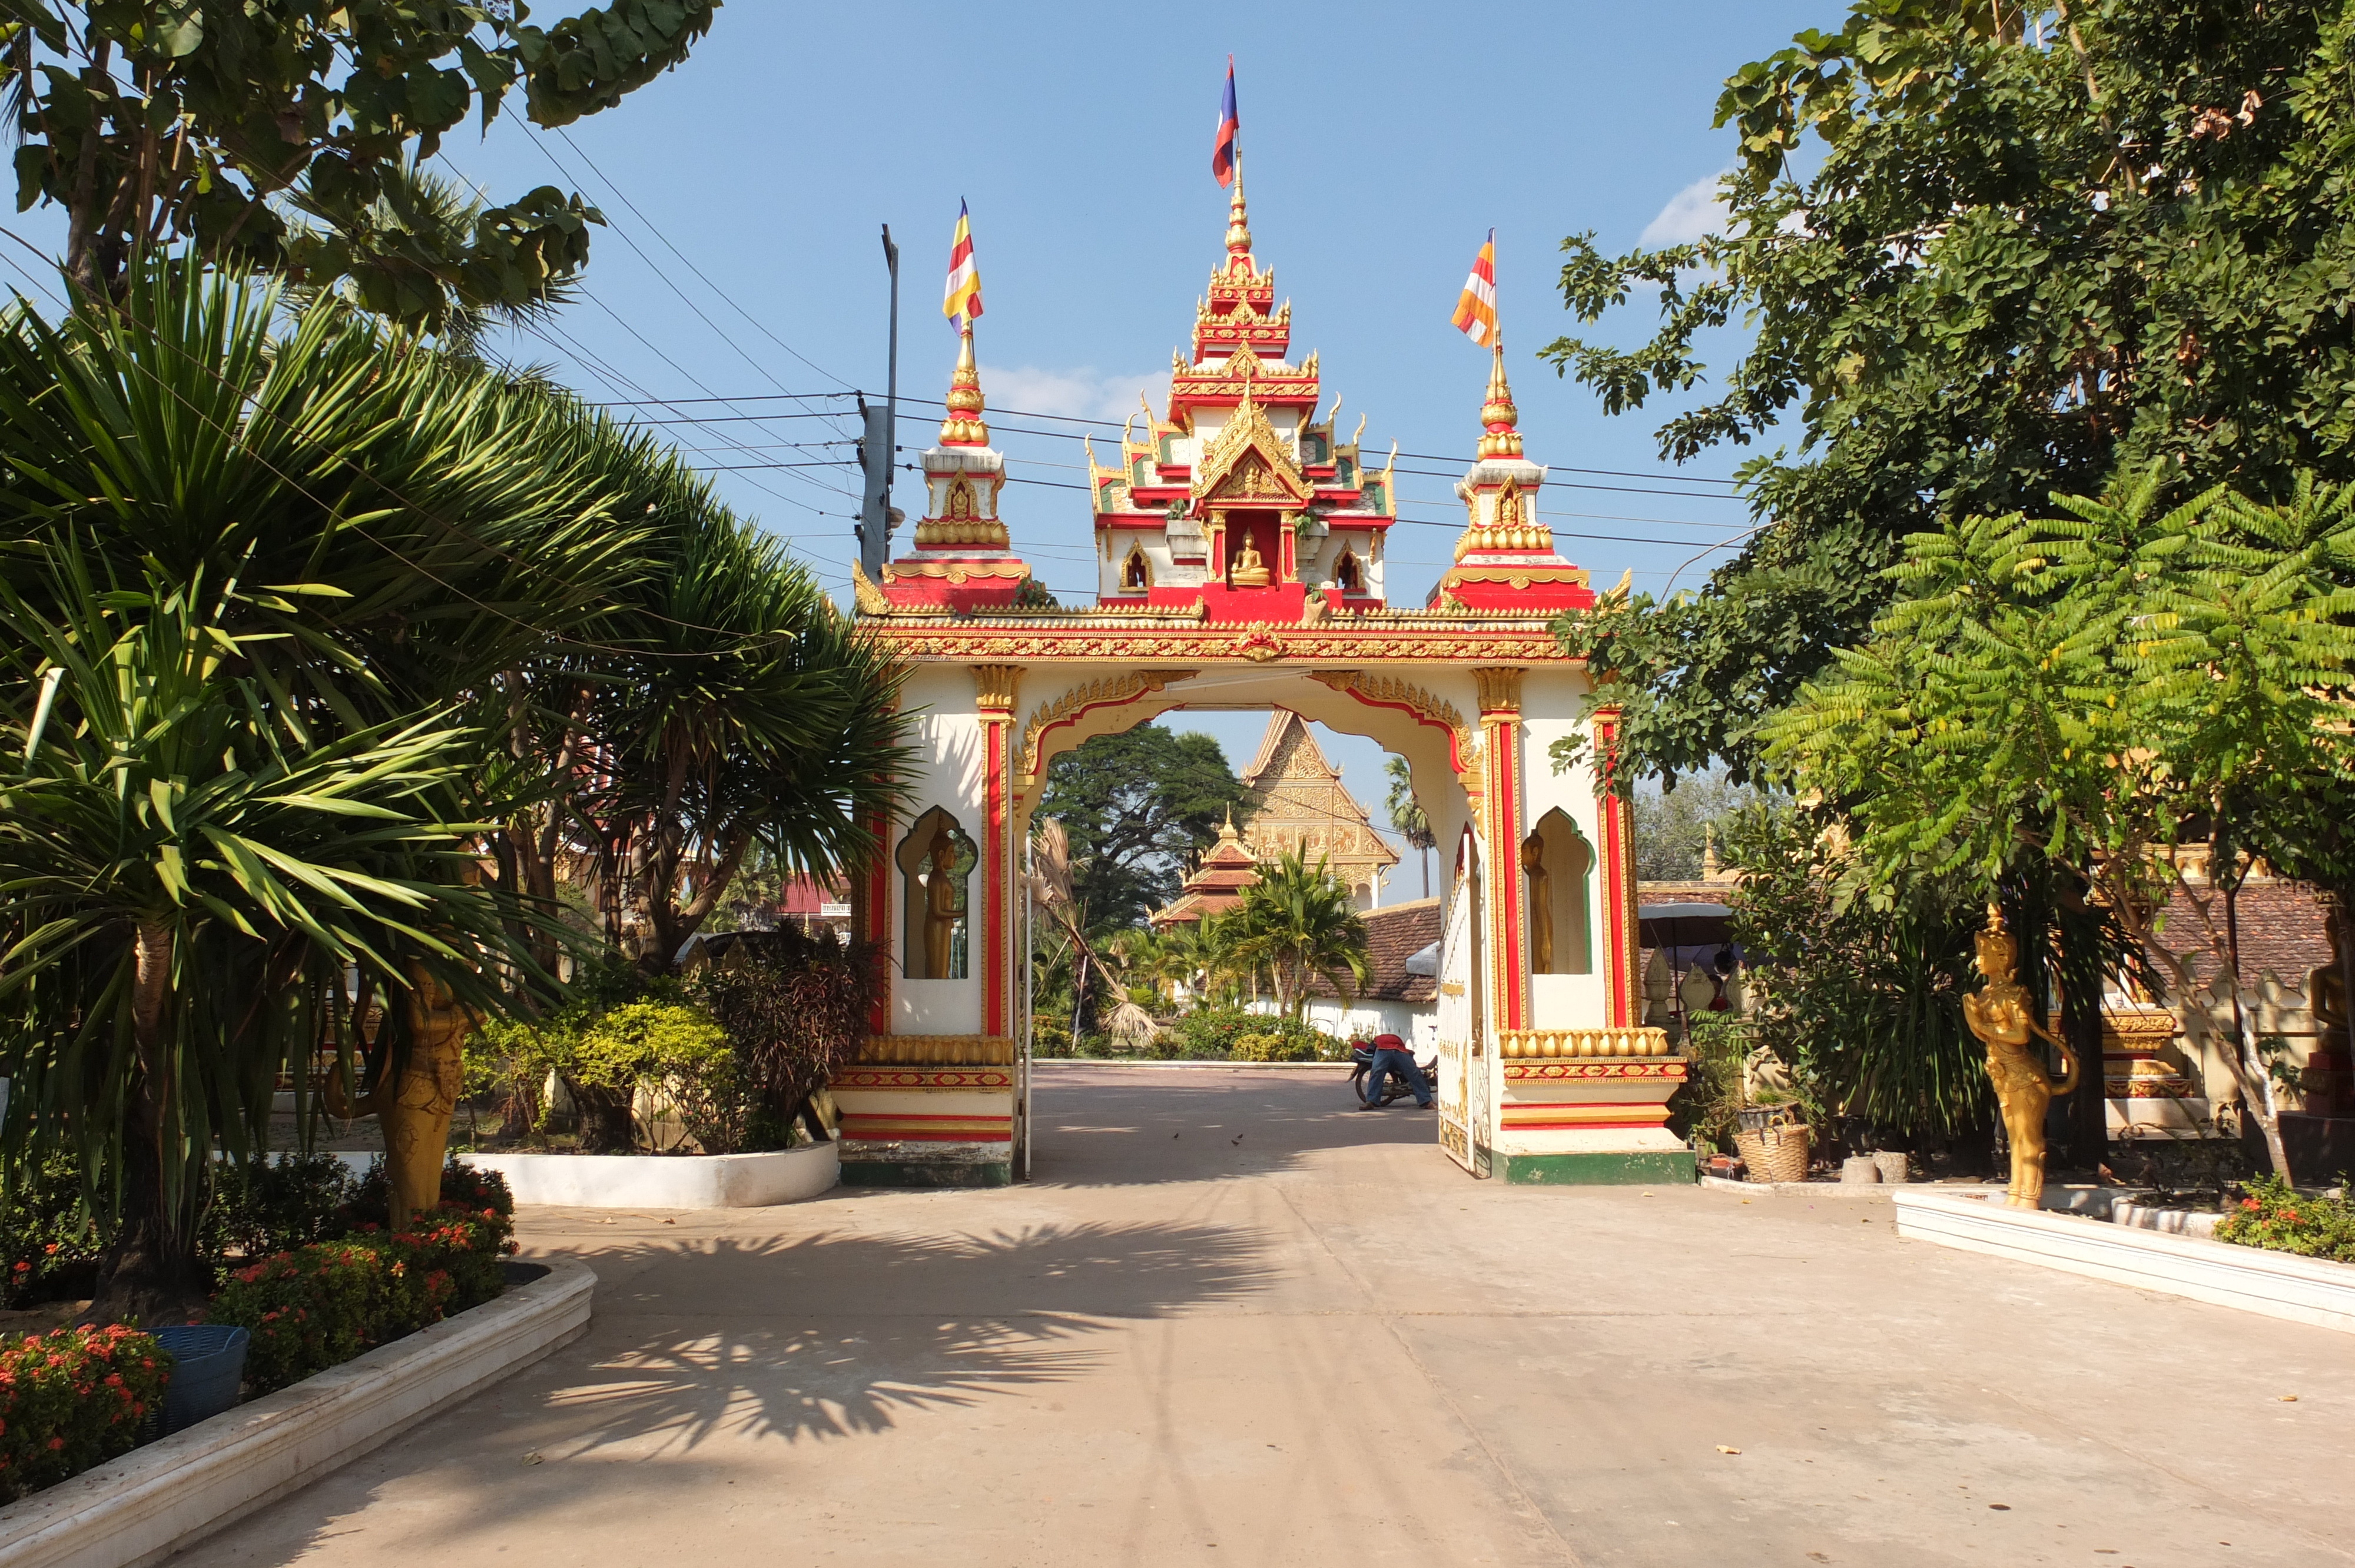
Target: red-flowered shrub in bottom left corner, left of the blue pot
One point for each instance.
(72, 1400)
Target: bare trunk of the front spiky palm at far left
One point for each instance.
(152, 1273)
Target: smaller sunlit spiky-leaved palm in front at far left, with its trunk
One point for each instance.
(185, 879)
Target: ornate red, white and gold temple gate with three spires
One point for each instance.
(1240, 566)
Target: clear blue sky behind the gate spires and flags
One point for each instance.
(1379, 145)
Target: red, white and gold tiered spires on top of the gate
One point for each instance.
(1238, 503)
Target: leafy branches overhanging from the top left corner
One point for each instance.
(164, 121)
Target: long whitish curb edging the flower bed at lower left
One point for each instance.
(166, 1496)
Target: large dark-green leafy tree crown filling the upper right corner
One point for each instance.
(2038, 248)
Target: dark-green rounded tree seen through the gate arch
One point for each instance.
(1136, 806)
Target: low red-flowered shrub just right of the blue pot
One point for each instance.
(333, 1301)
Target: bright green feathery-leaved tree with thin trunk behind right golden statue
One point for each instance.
(2099, 696)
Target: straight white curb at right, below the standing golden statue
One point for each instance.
(2250, 1280)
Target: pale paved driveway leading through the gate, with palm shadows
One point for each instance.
(1235, 1324)
